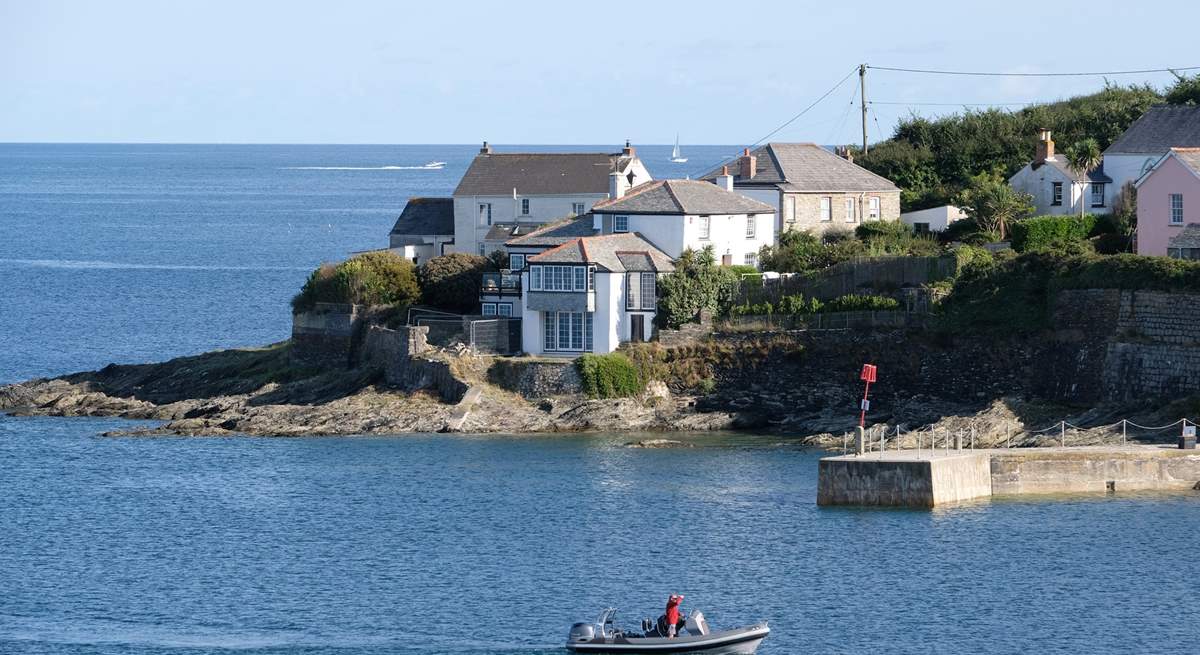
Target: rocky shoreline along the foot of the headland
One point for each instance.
(260, 392)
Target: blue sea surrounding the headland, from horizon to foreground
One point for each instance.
(457, 544)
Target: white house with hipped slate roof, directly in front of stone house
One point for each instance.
(677, 215)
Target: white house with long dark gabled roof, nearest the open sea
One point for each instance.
(536, 189)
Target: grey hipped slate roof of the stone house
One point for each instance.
(807, 167)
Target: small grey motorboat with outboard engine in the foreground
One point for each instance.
(603, 636)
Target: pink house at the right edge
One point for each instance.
(1169, 206)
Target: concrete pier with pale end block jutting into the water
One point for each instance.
(913, 479)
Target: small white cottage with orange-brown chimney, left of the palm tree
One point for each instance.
(1057, 189)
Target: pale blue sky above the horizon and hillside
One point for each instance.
(557, 73)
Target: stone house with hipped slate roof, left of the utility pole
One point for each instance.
(811, 188)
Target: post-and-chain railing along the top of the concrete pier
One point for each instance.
(880, 440)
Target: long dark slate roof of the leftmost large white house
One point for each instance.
(541, 173)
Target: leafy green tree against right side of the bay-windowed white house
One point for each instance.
(698, 284)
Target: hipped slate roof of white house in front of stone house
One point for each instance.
(681, 197)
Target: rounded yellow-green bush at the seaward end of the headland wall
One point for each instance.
(370, 279)
